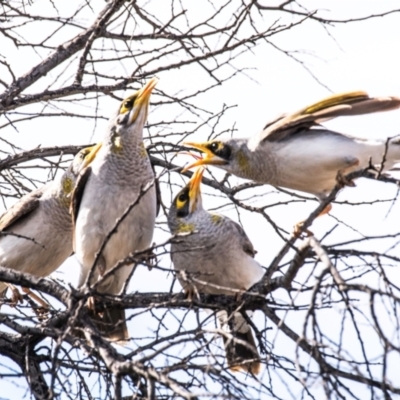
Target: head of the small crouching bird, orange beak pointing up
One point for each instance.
(188, 200)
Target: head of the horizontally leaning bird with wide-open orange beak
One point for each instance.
(217, 152)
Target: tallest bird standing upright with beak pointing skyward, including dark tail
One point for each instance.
(119, 176)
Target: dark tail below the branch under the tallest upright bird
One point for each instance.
(111, 323)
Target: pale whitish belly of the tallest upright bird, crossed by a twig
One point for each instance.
(98, 214)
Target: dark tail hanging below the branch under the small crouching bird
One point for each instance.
(241, 350)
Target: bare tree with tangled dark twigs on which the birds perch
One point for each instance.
(326, 312)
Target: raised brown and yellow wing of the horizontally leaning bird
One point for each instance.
(344, 104)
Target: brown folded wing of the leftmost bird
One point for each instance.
(22, 208)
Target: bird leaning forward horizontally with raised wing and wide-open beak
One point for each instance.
(295, 151)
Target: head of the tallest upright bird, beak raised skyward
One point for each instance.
(131, 115)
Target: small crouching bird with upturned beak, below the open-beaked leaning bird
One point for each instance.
(213, 255)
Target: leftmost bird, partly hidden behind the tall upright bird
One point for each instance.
(36, 232)
